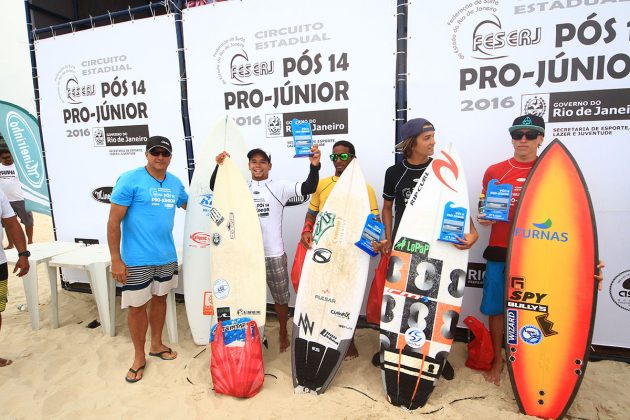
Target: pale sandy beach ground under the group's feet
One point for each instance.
(78, 372)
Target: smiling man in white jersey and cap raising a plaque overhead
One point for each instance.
(270, 197)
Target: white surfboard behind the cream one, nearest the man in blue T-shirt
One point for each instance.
(197, 240)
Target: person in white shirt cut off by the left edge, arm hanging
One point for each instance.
(12, 226)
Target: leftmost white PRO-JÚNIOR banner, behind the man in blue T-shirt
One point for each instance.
(103, 93)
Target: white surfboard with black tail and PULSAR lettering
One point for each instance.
(332, 285)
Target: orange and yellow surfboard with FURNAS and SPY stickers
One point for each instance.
(550, 288)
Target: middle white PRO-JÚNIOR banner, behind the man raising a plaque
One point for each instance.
(267, 63)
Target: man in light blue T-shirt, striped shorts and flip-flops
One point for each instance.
(143, 202)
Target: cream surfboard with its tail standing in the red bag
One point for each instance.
(237, 267)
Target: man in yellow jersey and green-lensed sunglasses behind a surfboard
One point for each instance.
(342, 154)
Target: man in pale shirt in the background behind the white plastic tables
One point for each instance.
(12, 188)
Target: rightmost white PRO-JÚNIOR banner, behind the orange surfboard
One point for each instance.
(476, 65)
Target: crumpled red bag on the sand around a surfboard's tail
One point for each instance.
(237, 370)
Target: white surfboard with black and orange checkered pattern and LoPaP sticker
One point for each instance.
(425, 285)
